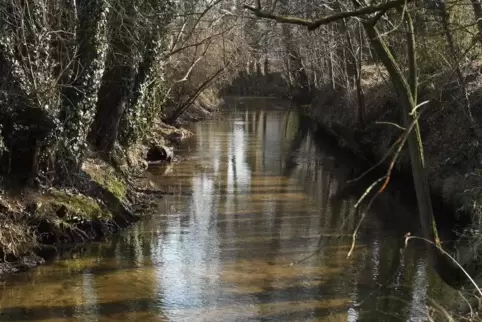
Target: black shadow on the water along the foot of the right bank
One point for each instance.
(396, 208)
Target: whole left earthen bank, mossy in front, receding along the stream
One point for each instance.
(105, 197)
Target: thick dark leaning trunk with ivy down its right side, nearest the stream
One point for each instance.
(132, 92)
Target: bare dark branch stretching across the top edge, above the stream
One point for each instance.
(314, 24)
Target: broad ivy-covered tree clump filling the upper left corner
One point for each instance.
(50, 85)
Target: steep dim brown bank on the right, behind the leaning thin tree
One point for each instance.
(452, 151)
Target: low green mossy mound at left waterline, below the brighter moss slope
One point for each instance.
(72, 207)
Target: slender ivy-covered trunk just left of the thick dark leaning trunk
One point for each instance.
(80, 95)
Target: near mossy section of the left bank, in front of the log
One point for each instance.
(97, 204)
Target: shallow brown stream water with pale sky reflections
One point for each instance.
(260, 198)
